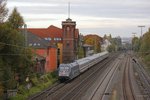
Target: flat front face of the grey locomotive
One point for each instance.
(64, 72)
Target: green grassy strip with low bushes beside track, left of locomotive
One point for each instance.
(39, 84)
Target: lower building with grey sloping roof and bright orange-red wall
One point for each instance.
(45, 55)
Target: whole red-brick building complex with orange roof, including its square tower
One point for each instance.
(46, 42)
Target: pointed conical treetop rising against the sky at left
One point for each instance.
(15, 19)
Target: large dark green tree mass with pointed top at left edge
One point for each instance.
(15, 58)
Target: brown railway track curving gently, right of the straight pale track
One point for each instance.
(128, 92)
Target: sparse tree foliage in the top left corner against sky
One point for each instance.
(3, 10)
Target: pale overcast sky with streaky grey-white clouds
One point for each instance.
(116, 17)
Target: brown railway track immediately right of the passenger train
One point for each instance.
(75, 91)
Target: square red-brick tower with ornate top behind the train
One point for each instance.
(69, 41)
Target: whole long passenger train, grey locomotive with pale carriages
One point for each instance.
(72, 70)
